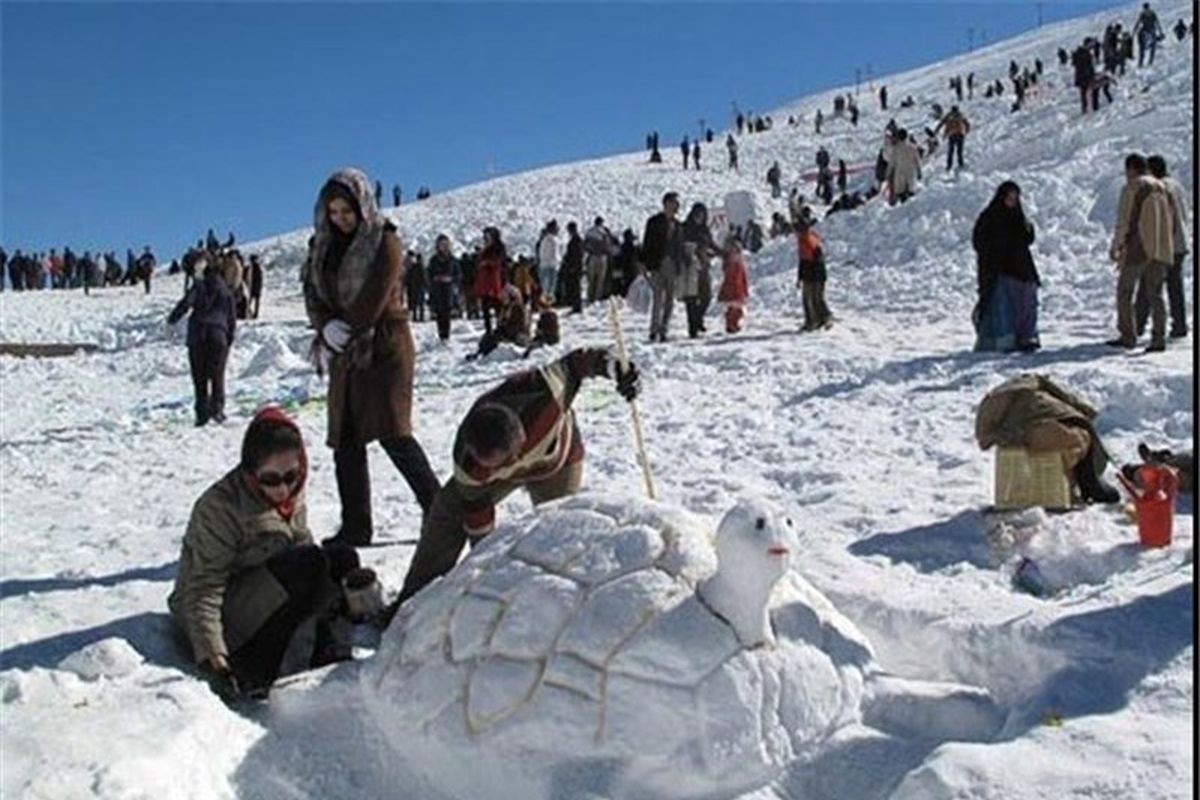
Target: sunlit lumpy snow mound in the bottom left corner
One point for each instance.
(123, 720)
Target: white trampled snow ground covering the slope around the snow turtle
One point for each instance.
(865, 430)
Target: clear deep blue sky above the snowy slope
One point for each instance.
(130, 124)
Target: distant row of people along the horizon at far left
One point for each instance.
(69, 270)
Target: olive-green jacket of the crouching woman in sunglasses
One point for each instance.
(224, 593)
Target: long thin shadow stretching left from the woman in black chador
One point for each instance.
(928, 366)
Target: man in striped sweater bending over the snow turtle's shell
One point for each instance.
(521, 435)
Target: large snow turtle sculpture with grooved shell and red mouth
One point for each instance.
(616, 648)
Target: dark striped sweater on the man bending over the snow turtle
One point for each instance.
(543, 400)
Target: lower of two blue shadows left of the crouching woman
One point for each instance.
(152, 634)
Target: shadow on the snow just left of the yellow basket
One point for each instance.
(933, 548)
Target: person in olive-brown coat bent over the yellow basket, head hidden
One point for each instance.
(1035, 413)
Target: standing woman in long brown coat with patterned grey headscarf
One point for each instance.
(353, 286)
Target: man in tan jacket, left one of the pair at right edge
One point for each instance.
(1143, 248)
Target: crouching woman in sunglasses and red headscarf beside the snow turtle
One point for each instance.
(255, 597)
